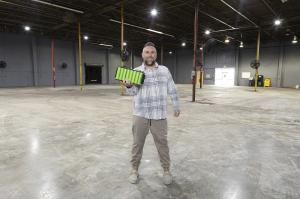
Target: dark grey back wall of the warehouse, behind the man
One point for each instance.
(29, 62)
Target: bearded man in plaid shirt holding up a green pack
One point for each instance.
(150, 110)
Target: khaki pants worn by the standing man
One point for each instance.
(159, 131)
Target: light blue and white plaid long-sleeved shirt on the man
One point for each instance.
(151, 98)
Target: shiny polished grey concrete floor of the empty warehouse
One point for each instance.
(232, 144)
